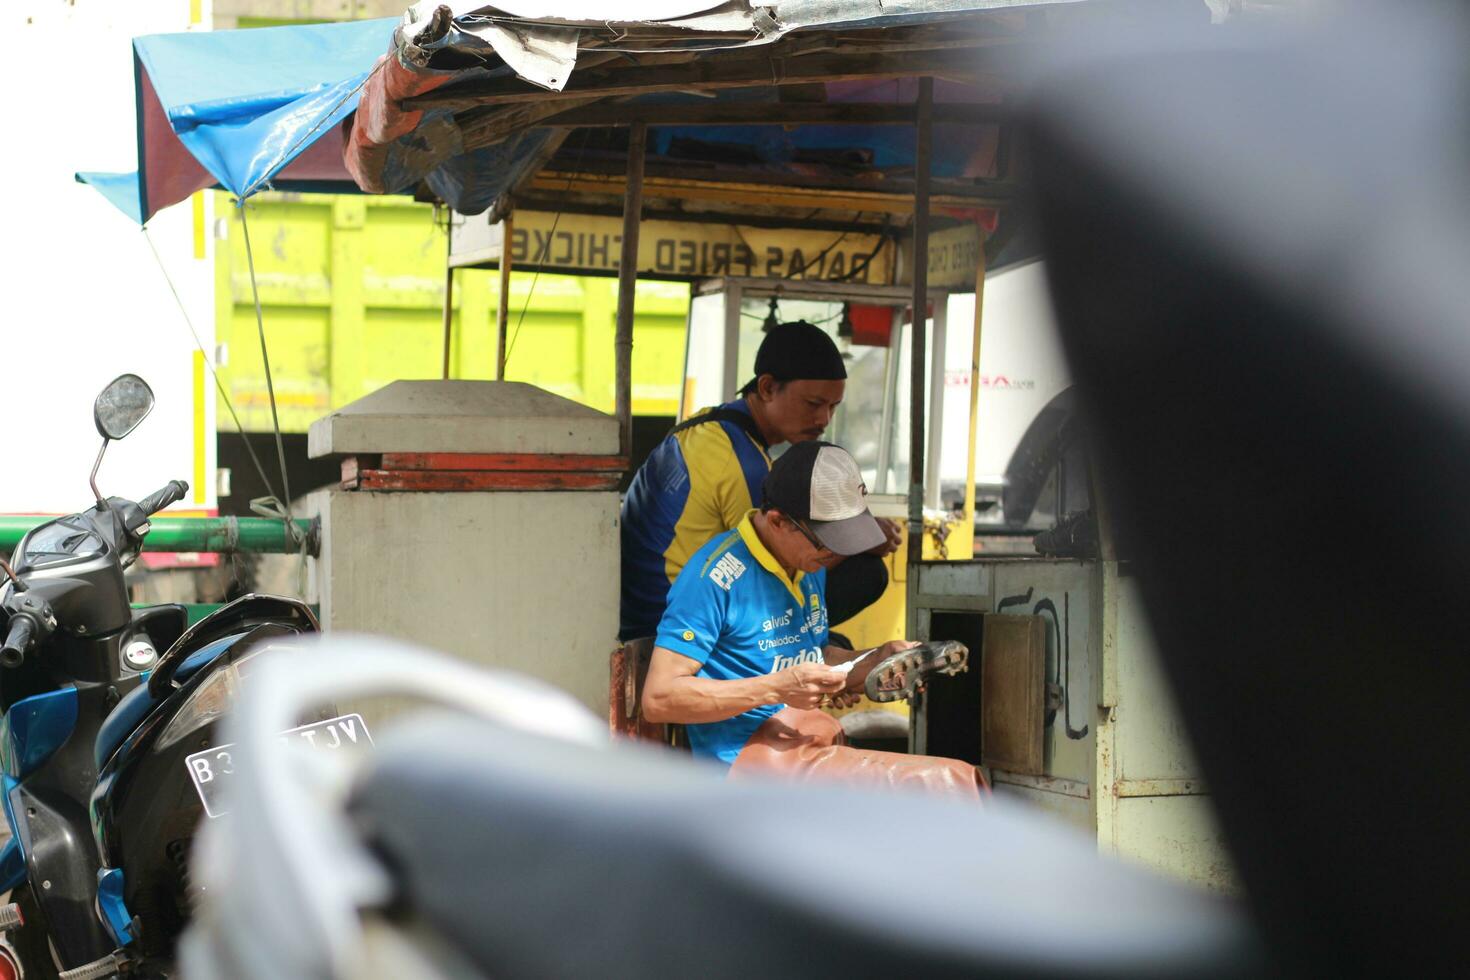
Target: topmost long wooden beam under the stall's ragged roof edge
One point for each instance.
(706, 74)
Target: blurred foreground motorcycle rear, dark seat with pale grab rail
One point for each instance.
(506, 837)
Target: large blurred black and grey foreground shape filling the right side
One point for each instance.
(1258, 248)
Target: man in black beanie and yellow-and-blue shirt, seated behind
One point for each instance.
(708, 474)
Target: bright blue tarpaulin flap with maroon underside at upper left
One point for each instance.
(242, 109)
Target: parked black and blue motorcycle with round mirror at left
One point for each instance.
(108, 746)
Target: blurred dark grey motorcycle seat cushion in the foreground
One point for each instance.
(543, 859)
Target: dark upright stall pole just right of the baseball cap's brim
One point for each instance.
(921, 303)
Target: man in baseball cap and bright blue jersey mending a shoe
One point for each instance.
(742, 656)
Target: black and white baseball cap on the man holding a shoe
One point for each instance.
(821, 486)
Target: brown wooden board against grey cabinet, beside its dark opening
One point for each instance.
(1014, 694)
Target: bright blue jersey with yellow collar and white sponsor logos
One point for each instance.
(740, 615)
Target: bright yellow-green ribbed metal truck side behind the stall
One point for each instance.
(354, 292)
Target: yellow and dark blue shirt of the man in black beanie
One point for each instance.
(699, 484)
